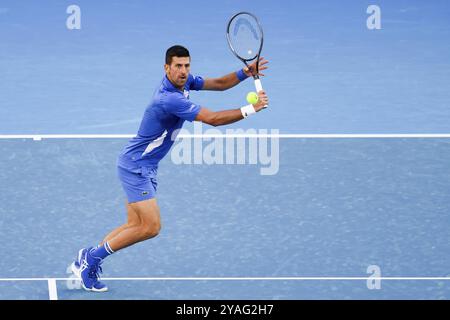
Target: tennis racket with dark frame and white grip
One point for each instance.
(245, 38)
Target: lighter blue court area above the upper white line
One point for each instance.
(329, 73)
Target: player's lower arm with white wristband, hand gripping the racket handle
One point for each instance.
(220, 118)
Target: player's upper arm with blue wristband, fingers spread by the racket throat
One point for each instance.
(232, 79)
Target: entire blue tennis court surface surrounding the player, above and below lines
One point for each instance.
(334, 208)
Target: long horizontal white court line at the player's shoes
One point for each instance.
(239, 279)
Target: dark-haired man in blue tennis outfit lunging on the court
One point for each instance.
(138, 163)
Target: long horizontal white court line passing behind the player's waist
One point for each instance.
(39, 137)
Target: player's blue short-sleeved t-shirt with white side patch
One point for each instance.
(169, 108)
